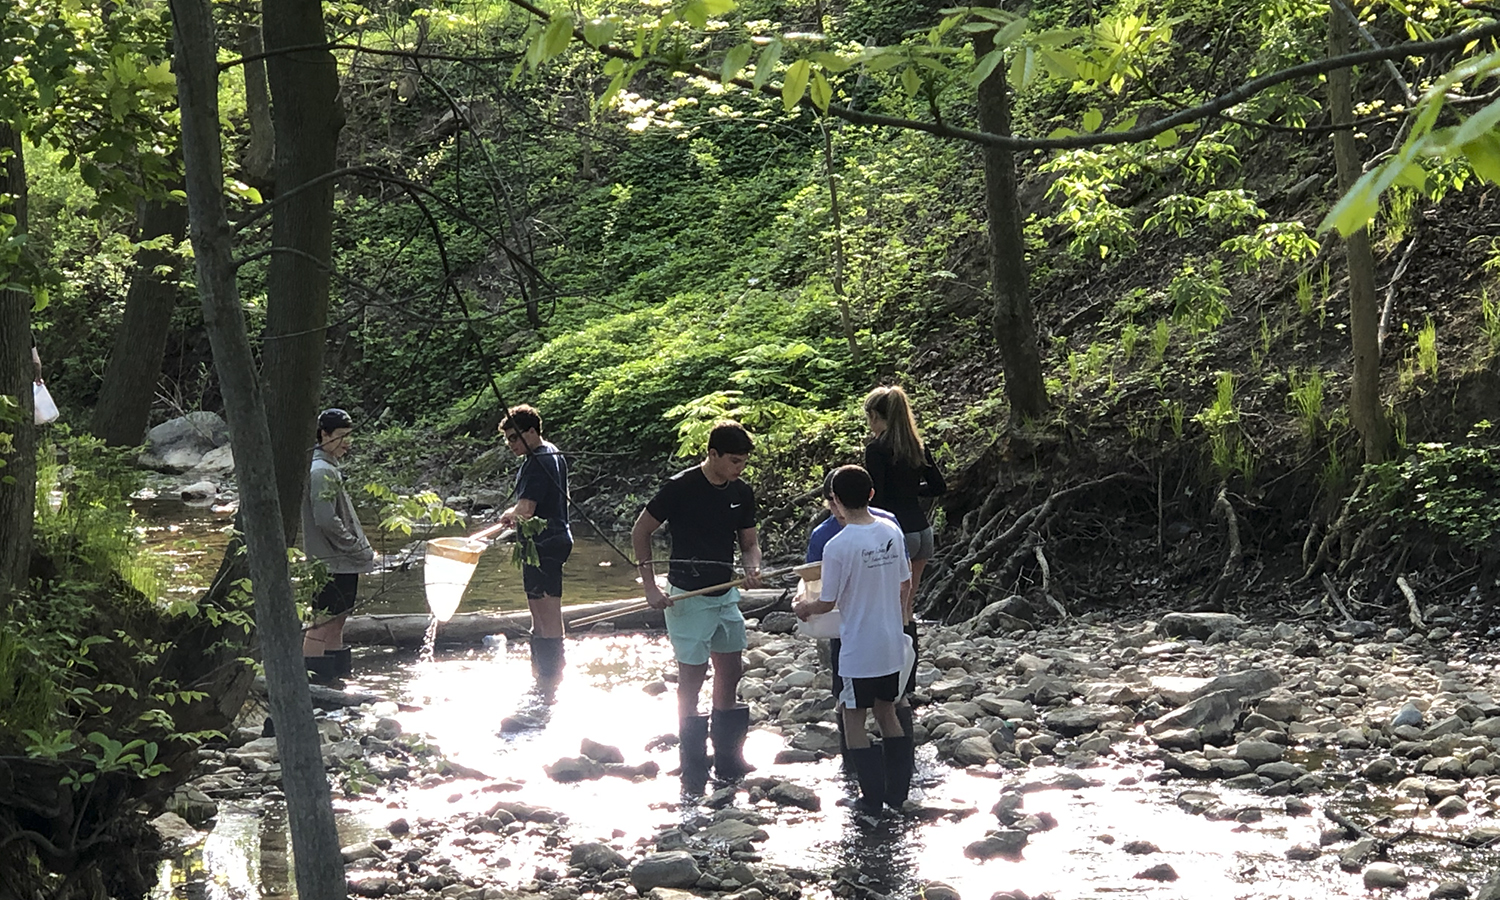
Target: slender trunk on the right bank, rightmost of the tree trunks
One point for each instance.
(1364, 310)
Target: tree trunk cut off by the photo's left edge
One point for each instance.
(17, 455)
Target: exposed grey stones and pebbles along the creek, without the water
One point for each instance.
(1303, 715)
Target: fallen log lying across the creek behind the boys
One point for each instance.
(472, 628)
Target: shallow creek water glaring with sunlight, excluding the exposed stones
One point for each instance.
(458, 698)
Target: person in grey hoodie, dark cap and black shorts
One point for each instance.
(332, 535)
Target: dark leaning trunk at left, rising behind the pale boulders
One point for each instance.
(130, 382)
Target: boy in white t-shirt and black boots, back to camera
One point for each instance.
(865, 577)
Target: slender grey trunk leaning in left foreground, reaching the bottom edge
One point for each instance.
(316, 842)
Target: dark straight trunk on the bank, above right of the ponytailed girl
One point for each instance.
(1015, 326)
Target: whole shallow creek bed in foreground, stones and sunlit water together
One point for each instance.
(1187, 757)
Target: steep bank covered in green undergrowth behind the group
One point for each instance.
(641, 268)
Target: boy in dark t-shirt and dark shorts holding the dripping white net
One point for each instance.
(541, 491)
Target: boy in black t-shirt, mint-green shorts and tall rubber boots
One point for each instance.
(710, 511)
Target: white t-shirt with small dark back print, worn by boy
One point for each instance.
(863, 572)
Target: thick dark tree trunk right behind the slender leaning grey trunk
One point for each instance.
(307, 115)
